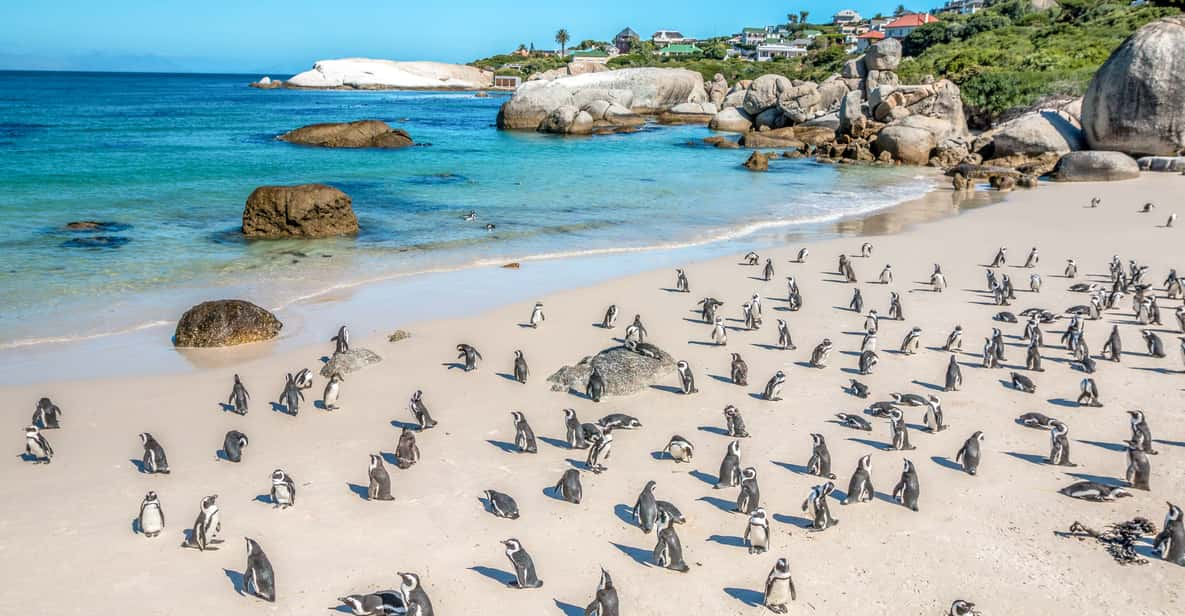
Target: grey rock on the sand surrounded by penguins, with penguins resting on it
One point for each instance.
(625, 371)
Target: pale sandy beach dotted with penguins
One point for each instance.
(68, 530)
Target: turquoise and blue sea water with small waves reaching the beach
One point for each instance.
(170, 161)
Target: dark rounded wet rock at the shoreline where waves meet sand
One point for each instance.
(226, 323)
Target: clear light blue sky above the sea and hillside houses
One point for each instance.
(284, 37)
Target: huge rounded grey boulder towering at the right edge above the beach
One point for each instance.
(1135, 102)
